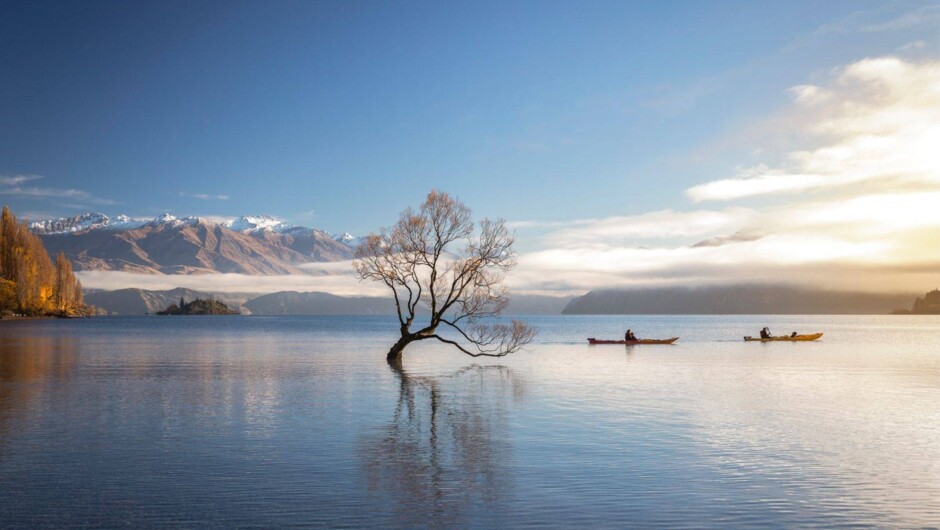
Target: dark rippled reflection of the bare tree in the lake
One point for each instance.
(446, 449)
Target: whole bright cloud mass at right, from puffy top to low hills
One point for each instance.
(857, 207)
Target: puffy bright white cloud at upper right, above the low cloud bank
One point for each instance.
(878, 122)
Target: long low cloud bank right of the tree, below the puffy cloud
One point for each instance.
(875, 242)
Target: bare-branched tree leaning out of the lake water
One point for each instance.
(434, 258)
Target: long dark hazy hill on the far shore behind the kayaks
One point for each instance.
(741, 299)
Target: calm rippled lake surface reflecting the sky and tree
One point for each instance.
(264, 422)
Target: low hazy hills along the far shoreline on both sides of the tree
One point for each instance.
(739, 299)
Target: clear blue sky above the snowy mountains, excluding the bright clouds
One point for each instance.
(340, 114)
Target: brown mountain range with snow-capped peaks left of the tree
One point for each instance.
(190, 245)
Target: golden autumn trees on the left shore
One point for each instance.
(30, 284)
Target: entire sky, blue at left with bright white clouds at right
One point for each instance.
(627, 143)
